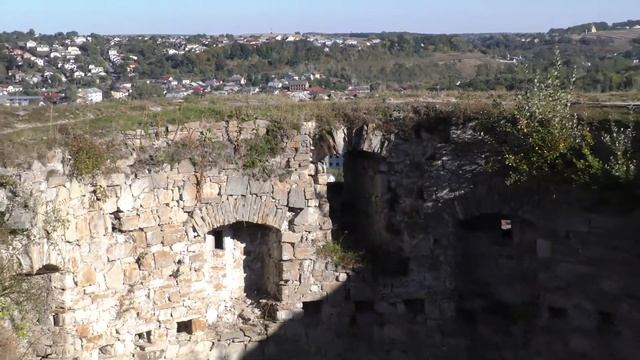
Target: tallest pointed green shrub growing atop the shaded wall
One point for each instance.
(546, 137)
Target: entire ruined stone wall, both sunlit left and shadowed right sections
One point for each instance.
(154, 262)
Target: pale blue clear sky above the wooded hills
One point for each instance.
(249, 16)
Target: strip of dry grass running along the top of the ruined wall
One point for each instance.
(27, 132)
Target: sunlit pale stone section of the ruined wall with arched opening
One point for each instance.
(141, 271)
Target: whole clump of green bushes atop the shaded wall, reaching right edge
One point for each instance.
(546, 140)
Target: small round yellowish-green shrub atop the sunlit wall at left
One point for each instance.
(87, 156)
